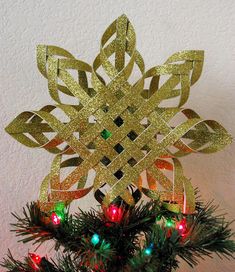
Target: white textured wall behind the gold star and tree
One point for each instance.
(162, 27)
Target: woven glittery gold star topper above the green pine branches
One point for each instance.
(140, 137)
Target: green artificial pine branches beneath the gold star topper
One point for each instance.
(120, 248)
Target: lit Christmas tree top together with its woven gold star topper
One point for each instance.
(124, 133)
